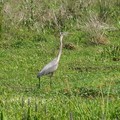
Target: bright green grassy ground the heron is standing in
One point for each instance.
(85, 86)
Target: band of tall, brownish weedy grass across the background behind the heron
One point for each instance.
(55, 16)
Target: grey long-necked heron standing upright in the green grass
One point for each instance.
(53, 65)
